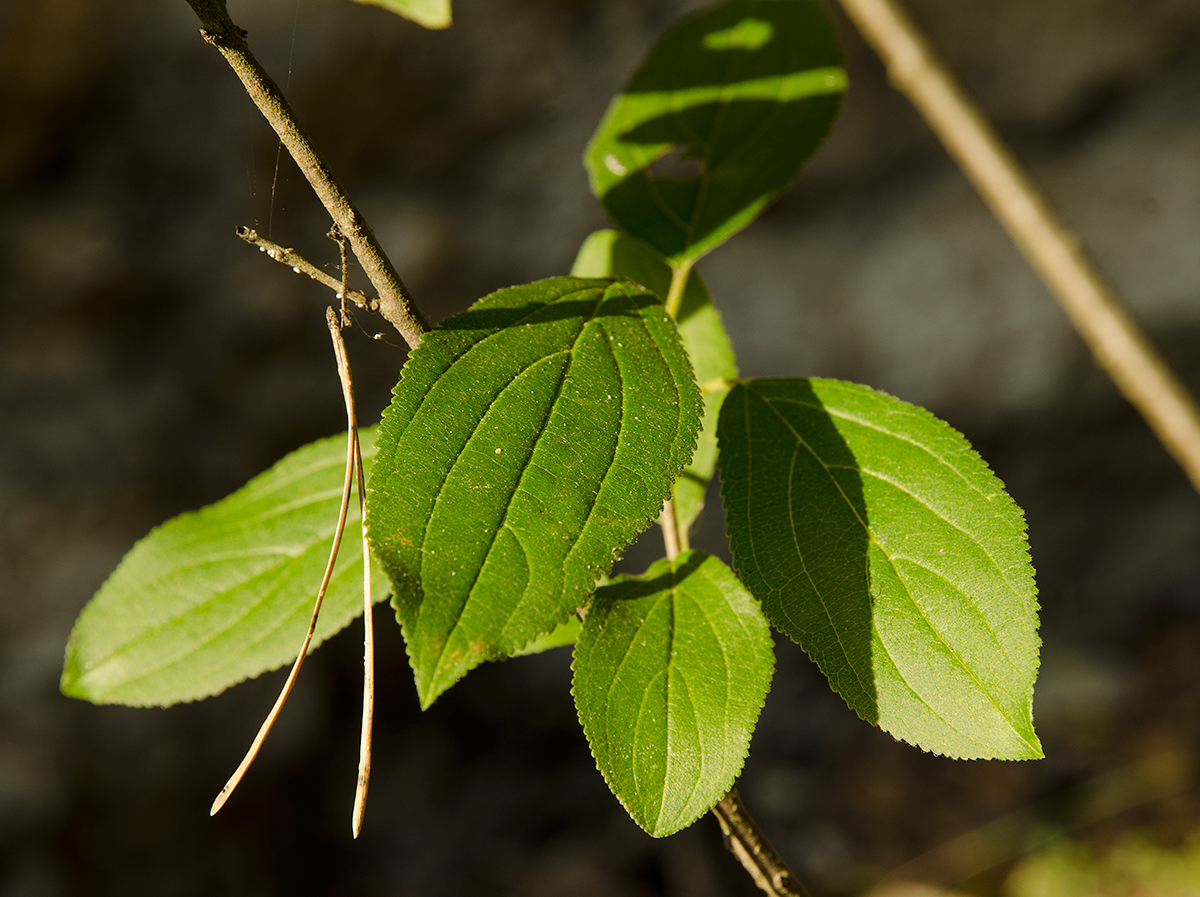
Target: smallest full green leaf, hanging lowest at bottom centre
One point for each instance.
(671, 672)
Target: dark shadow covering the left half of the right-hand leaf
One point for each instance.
(799, 528)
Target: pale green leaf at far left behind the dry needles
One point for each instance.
(215, 597)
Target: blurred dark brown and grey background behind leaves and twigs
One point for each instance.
(151, 364)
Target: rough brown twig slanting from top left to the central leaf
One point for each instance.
(395, 302)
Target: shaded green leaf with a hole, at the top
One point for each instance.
(717, 123)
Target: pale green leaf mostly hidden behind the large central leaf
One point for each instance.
(611, 254)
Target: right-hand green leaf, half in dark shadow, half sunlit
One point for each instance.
(881, 543)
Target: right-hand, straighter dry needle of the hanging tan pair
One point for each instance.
(344, 370)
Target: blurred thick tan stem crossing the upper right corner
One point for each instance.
(1120, 348)
